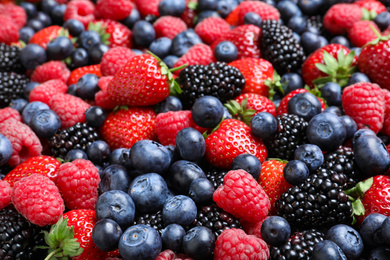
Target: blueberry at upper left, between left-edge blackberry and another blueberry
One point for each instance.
(32, 56)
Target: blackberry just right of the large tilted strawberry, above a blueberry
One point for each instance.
(216, 79)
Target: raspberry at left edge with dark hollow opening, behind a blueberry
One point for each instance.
(25, 143)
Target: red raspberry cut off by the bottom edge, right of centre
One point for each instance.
(235, 244)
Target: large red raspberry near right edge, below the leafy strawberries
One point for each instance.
(365, 103)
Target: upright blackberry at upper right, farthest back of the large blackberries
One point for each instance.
(279, 46)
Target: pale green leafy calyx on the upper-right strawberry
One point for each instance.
(337, 70)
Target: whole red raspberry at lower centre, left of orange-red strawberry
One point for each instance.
(241, 196)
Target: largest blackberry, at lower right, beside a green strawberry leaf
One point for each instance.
(318, 202)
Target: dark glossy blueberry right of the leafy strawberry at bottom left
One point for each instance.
(106, 234)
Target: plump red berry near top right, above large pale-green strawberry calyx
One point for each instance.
(341, 17)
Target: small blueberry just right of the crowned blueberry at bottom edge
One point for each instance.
(172, 237)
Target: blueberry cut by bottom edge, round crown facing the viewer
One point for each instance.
(140, 242)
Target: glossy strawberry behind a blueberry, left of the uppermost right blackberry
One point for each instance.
(246, 39)
